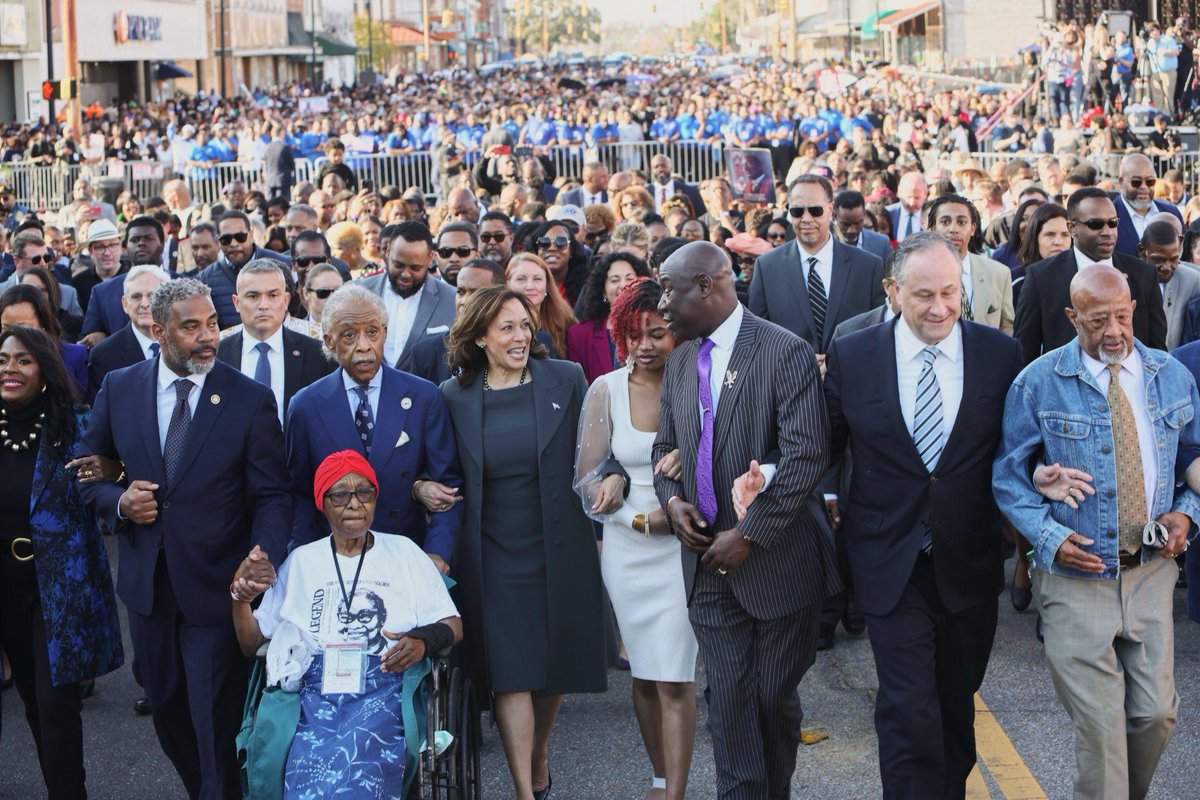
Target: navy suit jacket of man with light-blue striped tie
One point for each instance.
(893, 497)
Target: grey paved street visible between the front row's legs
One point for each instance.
(597, 754)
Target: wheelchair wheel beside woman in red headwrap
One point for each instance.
(451, 707)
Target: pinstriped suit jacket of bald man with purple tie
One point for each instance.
(775, 408)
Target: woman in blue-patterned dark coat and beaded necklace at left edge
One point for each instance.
(58, 611)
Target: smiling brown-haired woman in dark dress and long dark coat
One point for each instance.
(526, 558)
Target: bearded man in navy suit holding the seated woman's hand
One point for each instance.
(207, 483)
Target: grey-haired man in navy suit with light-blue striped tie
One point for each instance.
(921, 401)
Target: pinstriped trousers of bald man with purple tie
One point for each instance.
(754, 669)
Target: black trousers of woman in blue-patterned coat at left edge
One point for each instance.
(53, 712)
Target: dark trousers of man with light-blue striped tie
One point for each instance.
(931, 664)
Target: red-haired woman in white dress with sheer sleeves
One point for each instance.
(640, 561)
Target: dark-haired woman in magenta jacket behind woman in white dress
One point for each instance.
(589, 342)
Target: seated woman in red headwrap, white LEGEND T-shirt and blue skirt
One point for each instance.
(345, 617)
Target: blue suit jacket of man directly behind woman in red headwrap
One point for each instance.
(409, 444)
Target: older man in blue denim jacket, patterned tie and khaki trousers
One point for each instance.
(1106, 598)
